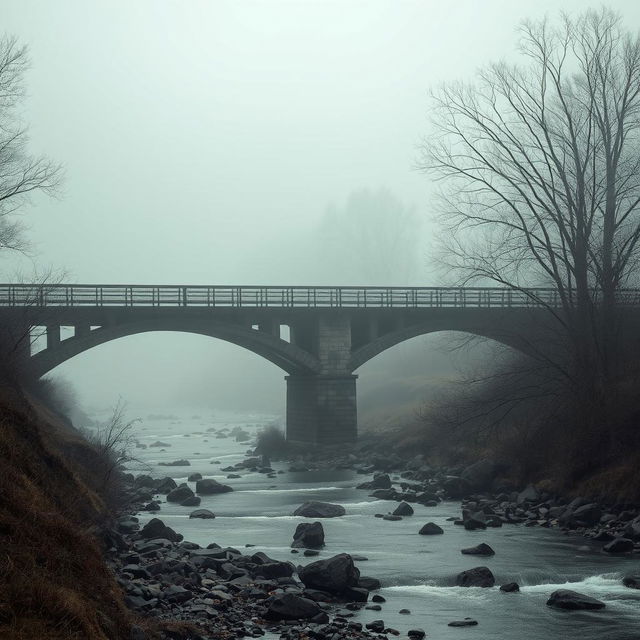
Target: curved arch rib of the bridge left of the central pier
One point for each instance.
(288, 357)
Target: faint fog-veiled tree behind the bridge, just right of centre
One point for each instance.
(373, 239)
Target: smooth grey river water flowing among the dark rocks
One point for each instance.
(417, 572)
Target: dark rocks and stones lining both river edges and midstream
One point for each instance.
(230, 593)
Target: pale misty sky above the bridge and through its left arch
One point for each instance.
(203, 141)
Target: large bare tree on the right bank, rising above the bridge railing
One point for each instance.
(539, 164)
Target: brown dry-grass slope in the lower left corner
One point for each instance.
(53, 580)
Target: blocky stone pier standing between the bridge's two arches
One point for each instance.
(322, 409)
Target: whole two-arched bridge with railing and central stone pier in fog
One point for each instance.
(318, 335)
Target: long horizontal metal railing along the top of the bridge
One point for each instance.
(60, 295)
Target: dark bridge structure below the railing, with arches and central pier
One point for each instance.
(322, 351)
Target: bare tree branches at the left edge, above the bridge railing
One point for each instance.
(21, 174)
